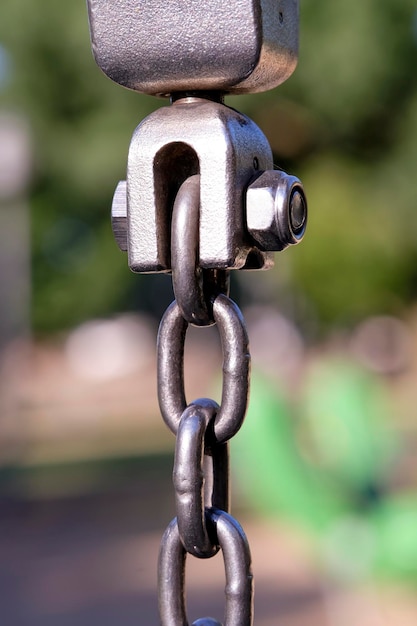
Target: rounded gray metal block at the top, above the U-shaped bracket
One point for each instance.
(161, 47)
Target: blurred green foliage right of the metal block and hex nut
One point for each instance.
(346, 124)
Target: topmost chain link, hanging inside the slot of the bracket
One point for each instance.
(194, 288)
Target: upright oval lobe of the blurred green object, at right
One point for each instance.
(345, 411)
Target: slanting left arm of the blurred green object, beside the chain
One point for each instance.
(270, 469)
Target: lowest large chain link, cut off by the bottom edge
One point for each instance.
(237, 563)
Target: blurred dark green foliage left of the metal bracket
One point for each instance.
(81, 124)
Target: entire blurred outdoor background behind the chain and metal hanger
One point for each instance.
(325, 467)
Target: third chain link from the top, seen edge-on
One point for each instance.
(192, 448)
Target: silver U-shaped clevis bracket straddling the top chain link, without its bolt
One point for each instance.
(194, 136)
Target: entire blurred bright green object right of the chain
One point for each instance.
(326, 471)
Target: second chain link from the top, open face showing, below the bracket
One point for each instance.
(236, 366)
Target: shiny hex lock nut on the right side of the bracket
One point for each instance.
(276, 210)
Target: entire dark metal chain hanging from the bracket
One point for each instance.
(203, 428)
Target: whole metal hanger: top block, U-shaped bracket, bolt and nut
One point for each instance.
(195, 53)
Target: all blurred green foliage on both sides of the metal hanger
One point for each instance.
(346, 123)
